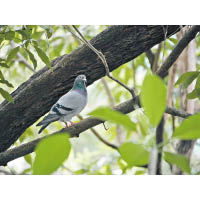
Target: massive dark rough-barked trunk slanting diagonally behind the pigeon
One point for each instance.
(35, 97)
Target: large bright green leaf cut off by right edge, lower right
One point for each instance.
(189, 128)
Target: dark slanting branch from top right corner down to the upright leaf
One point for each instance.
(189, 36)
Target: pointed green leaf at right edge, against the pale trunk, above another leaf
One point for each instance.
(187, 78)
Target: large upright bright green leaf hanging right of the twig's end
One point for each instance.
(153, 98)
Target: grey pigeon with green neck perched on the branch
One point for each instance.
(69, 105)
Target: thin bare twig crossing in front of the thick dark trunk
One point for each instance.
(103, 59)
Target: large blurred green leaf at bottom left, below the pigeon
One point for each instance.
(51, 152)
